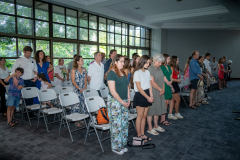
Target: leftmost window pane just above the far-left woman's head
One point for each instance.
(8, 45)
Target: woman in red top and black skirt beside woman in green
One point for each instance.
(175, 102)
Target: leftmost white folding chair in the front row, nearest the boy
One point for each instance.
(28, 93)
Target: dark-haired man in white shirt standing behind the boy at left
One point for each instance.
(30, 70)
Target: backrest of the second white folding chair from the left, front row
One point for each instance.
(46, 95)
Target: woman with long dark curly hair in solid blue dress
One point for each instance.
(42, 65)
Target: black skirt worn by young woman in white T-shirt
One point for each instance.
(140, 100)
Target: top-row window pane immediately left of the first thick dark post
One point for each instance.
(41, 10)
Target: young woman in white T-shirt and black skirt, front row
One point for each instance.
(143, 97)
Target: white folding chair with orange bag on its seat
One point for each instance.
(93, 104)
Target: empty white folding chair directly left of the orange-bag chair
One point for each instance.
(68, 99)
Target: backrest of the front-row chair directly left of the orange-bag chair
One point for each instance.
(68, 98)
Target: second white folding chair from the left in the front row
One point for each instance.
(43, 97)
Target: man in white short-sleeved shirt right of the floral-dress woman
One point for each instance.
(96, 73)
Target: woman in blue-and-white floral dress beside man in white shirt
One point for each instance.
(79, 80)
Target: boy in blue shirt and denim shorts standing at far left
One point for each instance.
(14, 94)
